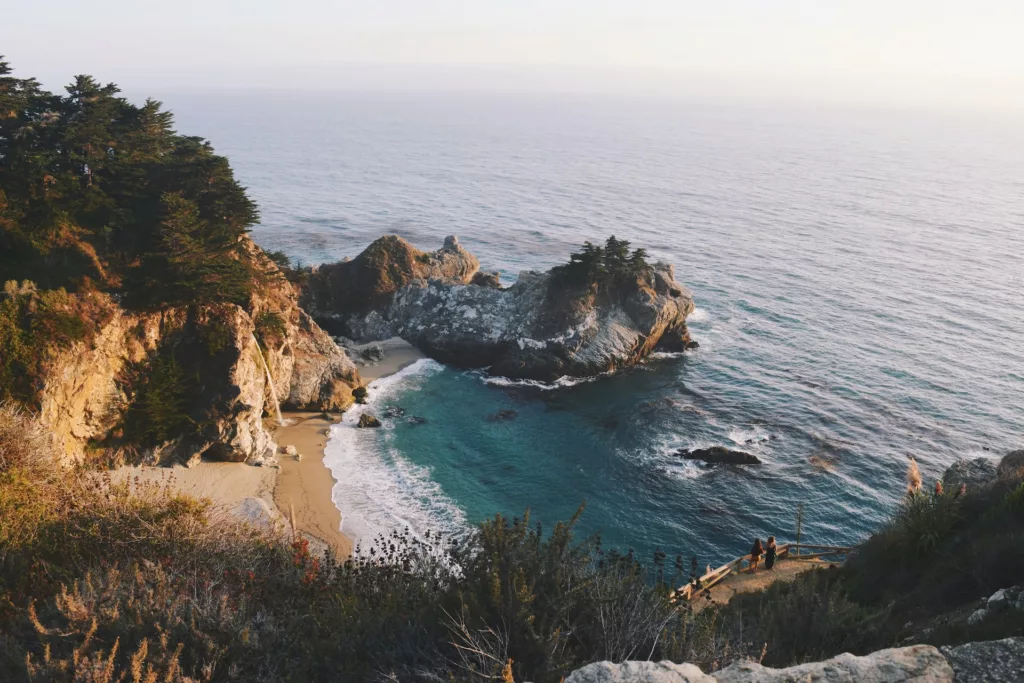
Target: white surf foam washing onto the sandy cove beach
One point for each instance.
(378, 490)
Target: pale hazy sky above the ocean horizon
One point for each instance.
(961, 53)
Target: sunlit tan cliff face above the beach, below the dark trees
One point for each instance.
(198, 369)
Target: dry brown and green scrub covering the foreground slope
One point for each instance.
(99, 583)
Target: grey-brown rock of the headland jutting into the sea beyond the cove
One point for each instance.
(539, 328)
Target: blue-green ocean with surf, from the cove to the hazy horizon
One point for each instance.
(859, 277)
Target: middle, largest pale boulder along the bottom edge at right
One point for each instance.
(921, 664)
